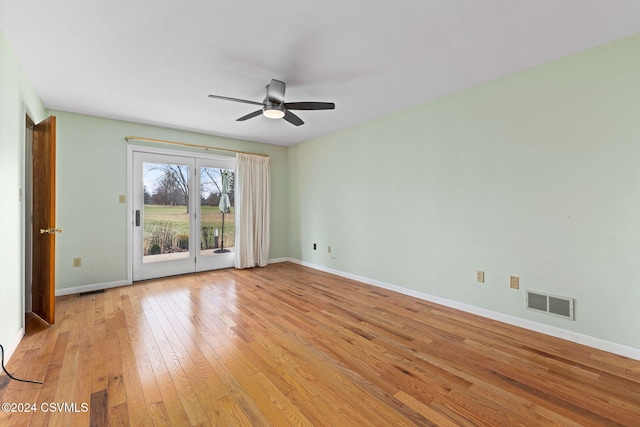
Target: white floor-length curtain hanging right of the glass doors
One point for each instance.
(252, 205)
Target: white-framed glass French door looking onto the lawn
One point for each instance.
(182, 214)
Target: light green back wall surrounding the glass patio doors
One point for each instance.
(92, 173)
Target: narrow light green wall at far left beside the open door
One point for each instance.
(17, 98)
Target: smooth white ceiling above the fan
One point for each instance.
(155, 61)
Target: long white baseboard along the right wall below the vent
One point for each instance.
(553, 331)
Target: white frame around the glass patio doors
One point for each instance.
(130, 190)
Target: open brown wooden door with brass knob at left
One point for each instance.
(44, 219)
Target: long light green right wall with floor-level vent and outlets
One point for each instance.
(535, 175)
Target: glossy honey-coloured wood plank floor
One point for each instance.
(287, 345)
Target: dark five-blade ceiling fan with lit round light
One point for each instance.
(274, 107)
